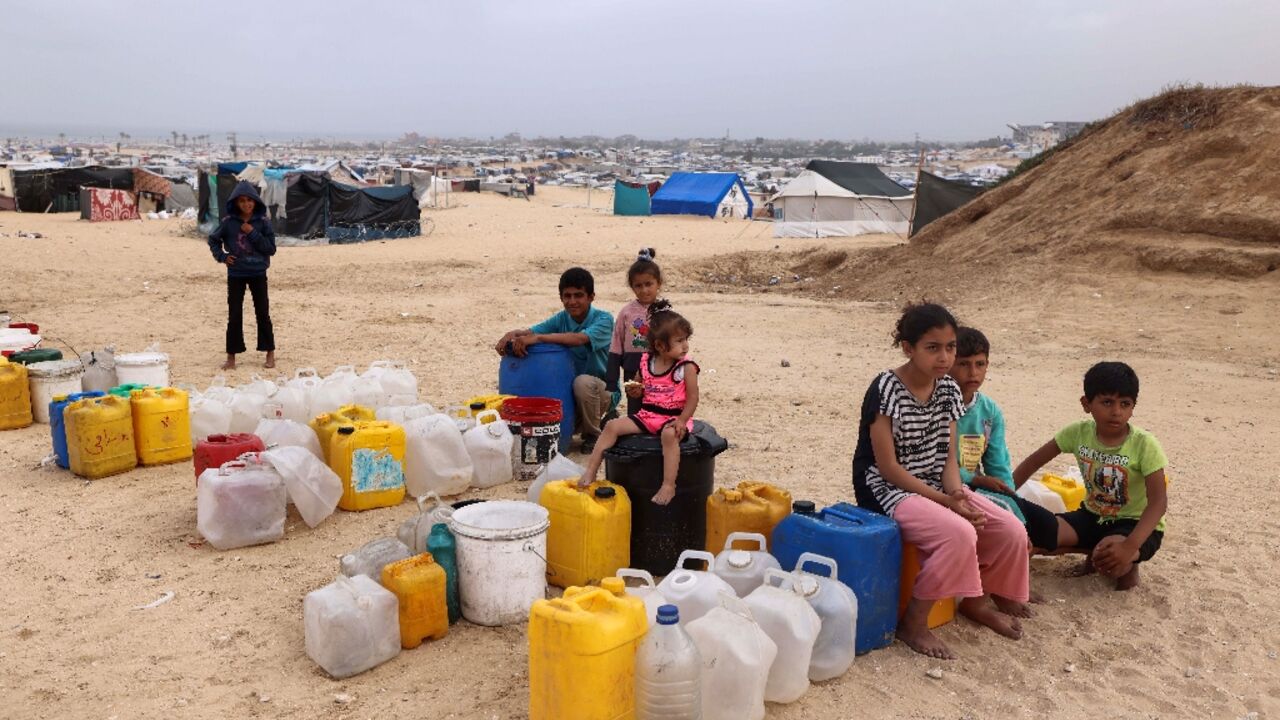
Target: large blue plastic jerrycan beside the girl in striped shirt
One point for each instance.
(868, 552)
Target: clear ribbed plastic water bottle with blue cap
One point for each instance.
(669, 672)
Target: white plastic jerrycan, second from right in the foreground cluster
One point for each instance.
(794, 627)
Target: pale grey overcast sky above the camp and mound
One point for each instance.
(655, 69)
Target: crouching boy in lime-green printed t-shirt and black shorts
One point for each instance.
(1122, 521)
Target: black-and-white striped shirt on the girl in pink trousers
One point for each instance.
(922, 436)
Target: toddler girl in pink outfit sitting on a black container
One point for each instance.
(669, 397)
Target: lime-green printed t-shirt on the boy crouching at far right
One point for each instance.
(1116, 479)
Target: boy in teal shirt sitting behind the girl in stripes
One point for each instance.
(981, 450)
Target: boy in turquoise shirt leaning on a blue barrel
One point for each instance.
(587, 332)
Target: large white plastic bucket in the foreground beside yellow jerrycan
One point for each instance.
(502, 567)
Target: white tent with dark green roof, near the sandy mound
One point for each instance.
(835, 199)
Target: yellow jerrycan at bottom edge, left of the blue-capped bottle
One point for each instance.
(583, 654)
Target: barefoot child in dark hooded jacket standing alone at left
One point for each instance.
(245, 243)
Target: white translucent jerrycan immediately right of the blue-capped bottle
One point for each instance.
(737, 660)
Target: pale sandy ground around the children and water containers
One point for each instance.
(1197, 640)
